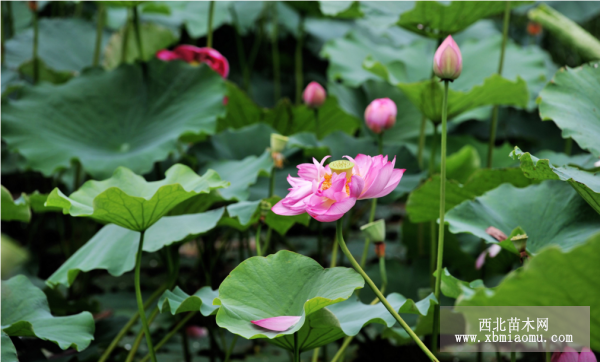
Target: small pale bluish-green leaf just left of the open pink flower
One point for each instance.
(242, 174)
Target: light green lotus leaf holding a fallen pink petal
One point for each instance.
(281, 284)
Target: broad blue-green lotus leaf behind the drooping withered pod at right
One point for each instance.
(551, 213)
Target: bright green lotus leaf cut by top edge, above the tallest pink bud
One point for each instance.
(437, 20)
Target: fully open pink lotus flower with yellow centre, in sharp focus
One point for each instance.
(327, 193)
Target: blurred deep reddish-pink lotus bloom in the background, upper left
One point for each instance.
(194, 55)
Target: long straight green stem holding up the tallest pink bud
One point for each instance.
(440, 247)
